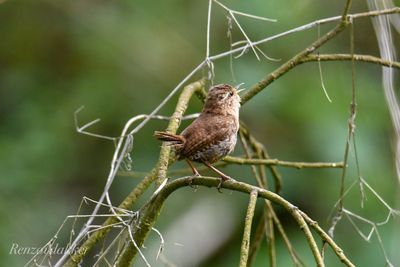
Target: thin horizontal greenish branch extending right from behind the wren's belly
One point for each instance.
(269, 162)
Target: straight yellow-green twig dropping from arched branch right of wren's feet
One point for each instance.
(244, 251)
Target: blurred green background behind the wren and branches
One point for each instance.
(120, 59)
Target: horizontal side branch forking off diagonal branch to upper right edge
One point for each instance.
(348, 57)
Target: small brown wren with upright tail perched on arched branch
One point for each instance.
(213, 134)
